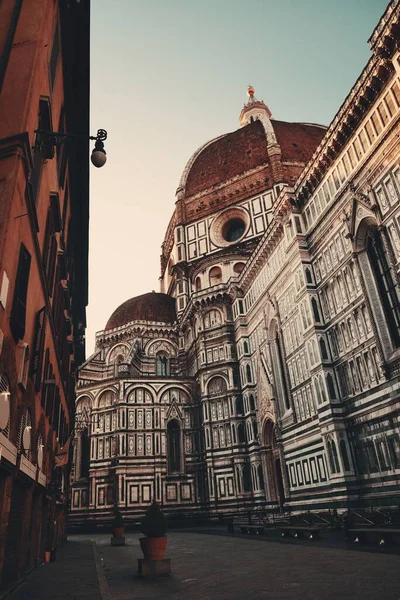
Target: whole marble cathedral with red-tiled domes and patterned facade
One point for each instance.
(266, 371)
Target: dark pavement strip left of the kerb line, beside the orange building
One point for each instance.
(72, 576)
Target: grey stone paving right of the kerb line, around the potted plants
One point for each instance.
(209, 567)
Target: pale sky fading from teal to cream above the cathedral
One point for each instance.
(168, 75)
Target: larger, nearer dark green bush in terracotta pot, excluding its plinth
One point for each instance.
(154, 527)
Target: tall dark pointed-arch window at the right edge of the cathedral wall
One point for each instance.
(385, 283)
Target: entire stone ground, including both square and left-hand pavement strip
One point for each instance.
(215, 567)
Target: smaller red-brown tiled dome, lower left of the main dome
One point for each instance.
(147, 307)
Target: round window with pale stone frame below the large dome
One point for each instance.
(230, 226)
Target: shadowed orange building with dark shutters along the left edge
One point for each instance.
(39, 332)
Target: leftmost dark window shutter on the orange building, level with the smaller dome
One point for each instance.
(18, 311)
